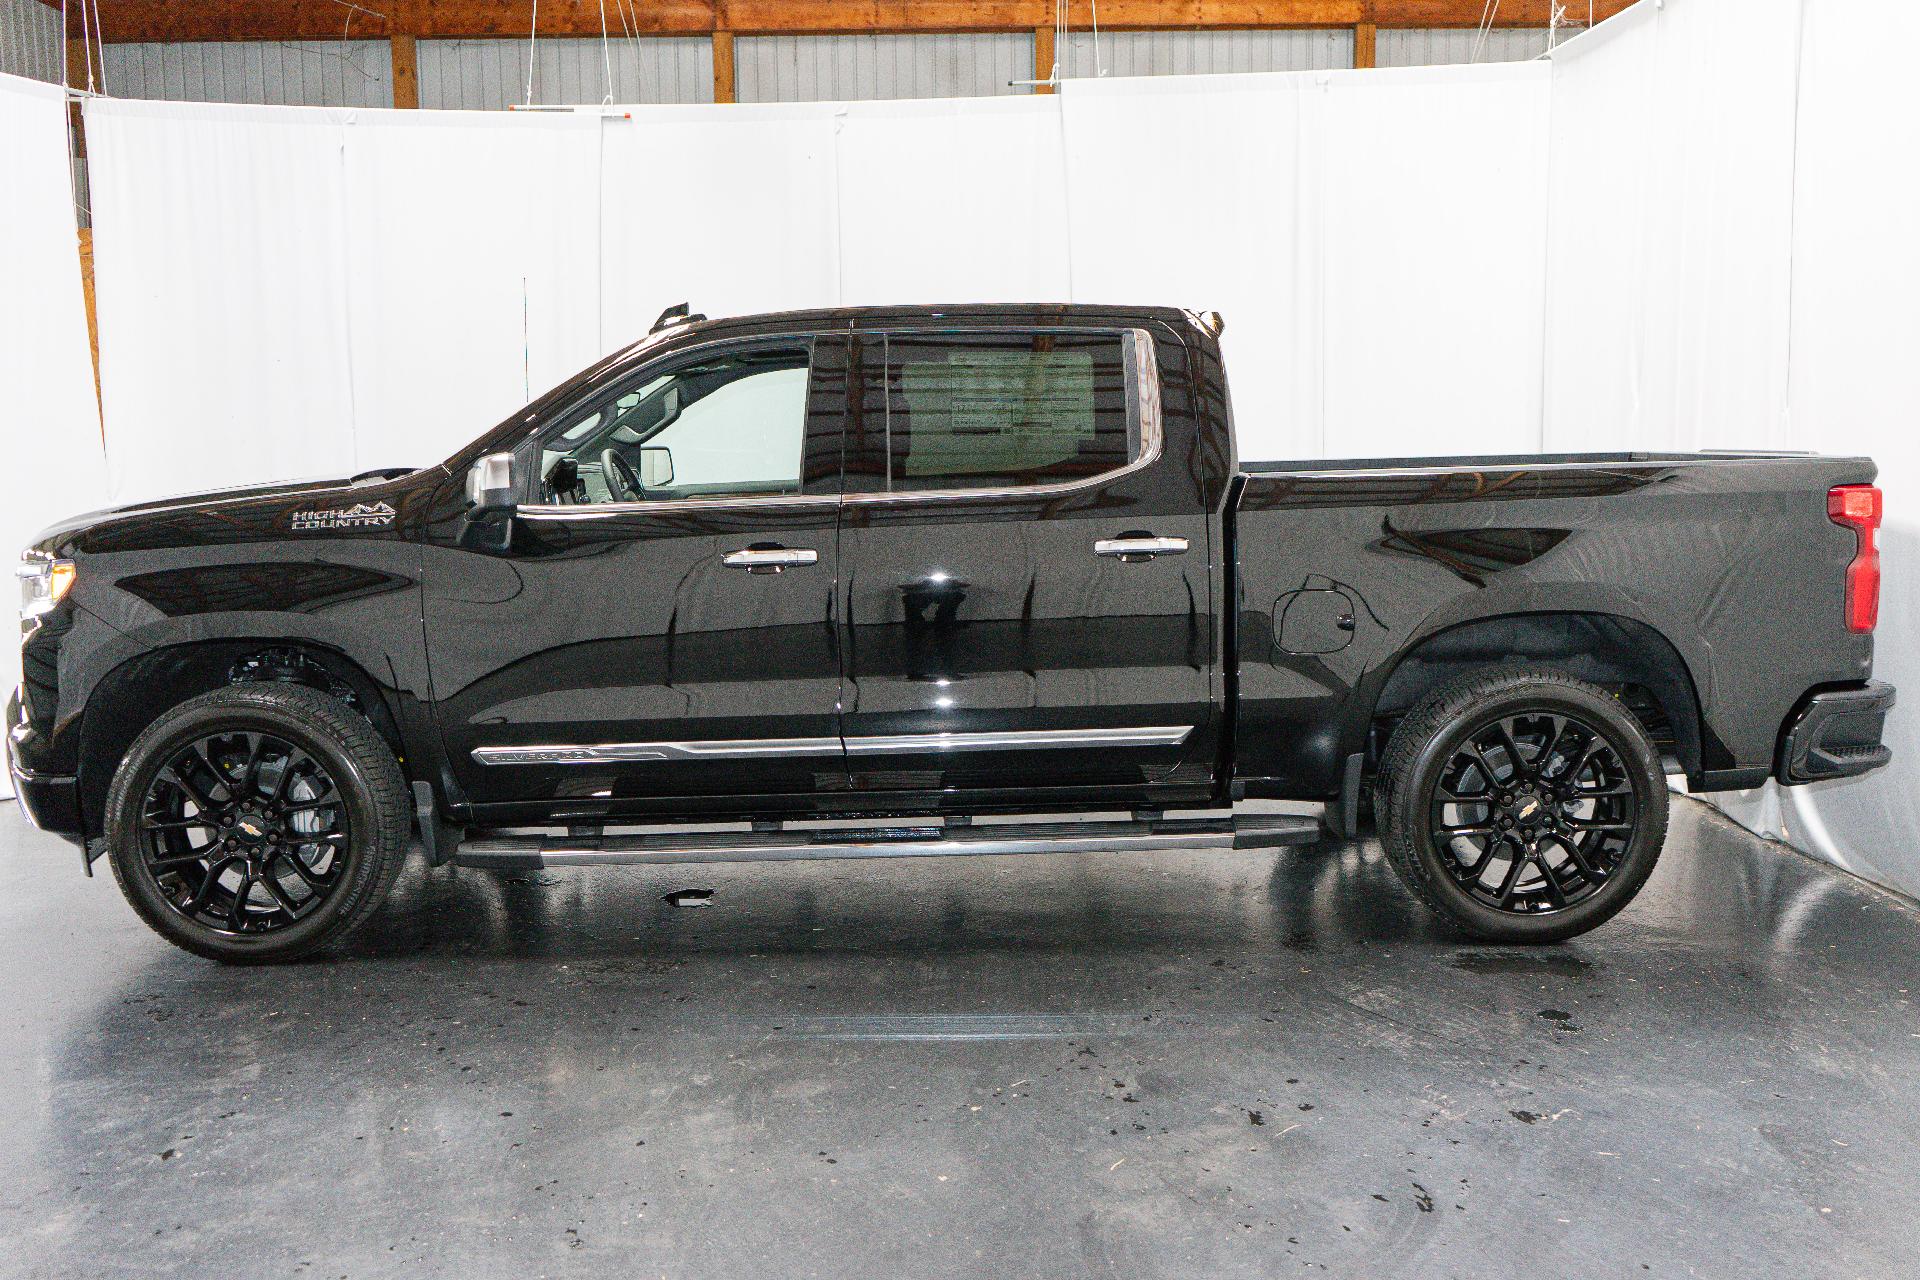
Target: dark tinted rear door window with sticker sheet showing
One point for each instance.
(969, 412)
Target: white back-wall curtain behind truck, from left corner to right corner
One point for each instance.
(324, 291)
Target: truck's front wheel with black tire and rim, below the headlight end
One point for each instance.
(258, 824)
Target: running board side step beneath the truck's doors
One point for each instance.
(903, 841)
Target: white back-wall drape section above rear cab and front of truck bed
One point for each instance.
(1345, 224)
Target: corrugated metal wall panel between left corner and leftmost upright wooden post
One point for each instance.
(310, 74)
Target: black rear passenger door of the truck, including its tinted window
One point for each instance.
(1026, 598)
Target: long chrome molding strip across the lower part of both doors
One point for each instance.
(780, 747)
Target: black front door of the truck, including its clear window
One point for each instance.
(660, 632)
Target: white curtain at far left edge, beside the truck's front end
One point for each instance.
(49, 419)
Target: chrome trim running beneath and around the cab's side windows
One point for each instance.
(1143, 402)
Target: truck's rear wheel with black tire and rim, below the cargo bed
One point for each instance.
(1522, 805)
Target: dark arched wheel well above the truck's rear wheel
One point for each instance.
(1627, 659)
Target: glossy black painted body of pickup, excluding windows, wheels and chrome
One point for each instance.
(1308, 594)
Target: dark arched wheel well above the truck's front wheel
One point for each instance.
(147, 688)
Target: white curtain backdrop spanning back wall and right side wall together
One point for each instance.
(1687, 231)
